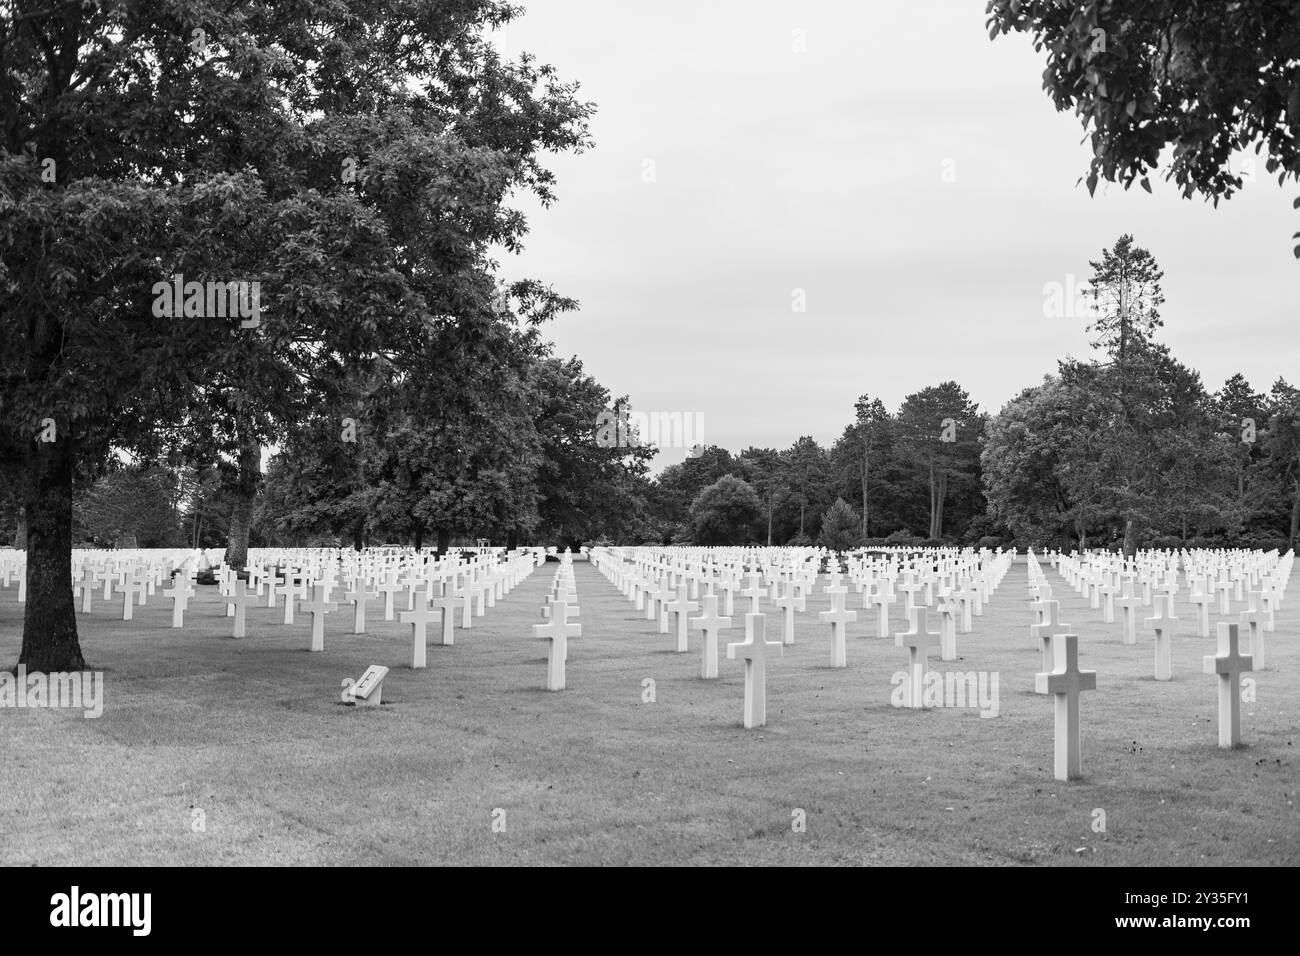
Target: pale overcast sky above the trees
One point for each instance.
(825, 171)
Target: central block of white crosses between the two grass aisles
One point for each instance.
(666, 582)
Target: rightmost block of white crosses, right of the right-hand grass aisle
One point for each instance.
(1063, 678)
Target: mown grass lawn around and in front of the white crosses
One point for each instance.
(254, 734)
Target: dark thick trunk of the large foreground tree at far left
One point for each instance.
(50, 617)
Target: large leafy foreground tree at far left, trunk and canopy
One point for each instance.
(354, 159)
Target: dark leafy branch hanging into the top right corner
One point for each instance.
(1203, 79)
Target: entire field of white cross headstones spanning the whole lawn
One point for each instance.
(670, 585)
